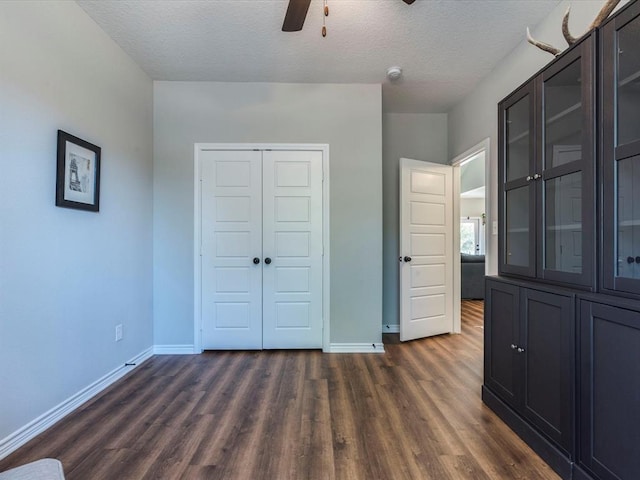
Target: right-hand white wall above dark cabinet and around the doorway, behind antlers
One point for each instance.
(476, 118)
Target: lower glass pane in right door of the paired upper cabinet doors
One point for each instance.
(563, 223)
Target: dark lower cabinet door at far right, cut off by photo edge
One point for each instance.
(609, 396)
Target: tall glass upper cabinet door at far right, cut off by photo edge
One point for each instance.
(621, 152)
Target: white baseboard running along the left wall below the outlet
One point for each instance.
(46, 420)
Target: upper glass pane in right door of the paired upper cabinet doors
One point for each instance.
(563, 116)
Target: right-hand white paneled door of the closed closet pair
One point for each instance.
(292, 239)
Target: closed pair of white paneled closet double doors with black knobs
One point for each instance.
(262, 249)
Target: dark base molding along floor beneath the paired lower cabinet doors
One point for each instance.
(553, 456)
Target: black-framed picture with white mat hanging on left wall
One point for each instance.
(78, 178)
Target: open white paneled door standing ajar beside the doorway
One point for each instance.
(426, 249)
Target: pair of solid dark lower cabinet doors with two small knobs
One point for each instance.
(529, 355)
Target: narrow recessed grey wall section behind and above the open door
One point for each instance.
(417, 136)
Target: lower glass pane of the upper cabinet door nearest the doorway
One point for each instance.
(517, 227)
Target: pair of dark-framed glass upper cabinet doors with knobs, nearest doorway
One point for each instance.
(546, 172)
